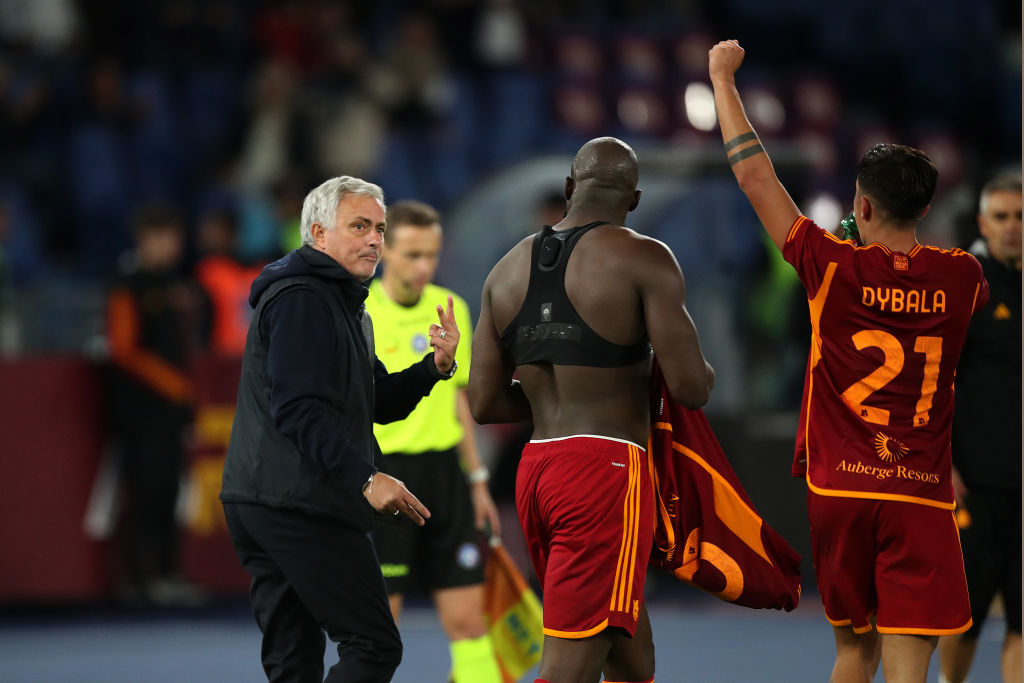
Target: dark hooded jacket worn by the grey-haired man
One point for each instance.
(312, 389)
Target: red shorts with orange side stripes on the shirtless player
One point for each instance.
(587, 509)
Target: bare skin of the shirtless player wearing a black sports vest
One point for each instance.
(625, 286)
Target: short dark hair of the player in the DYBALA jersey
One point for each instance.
(901, 180)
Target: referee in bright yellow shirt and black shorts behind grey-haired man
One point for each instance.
(434, 451)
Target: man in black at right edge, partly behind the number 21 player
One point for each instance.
(987, 438)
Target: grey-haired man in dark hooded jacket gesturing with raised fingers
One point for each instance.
(302, 456)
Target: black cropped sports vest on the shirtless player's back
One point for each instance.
(548, 329)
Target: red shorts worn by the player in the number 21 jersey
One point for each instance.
(899, 561)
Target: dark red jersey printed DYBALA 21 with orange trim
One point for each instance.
(887, 330)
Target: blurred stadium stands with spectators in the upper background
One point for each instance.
(229, 111)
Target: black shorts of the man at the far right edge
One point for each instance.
(991, 537)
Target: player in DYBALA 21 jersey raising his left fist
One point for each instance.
(889, 317)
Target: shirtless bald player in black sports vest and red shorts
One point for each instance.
(574, 312)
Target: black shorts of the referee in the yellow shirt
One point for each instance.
(447, 551)
